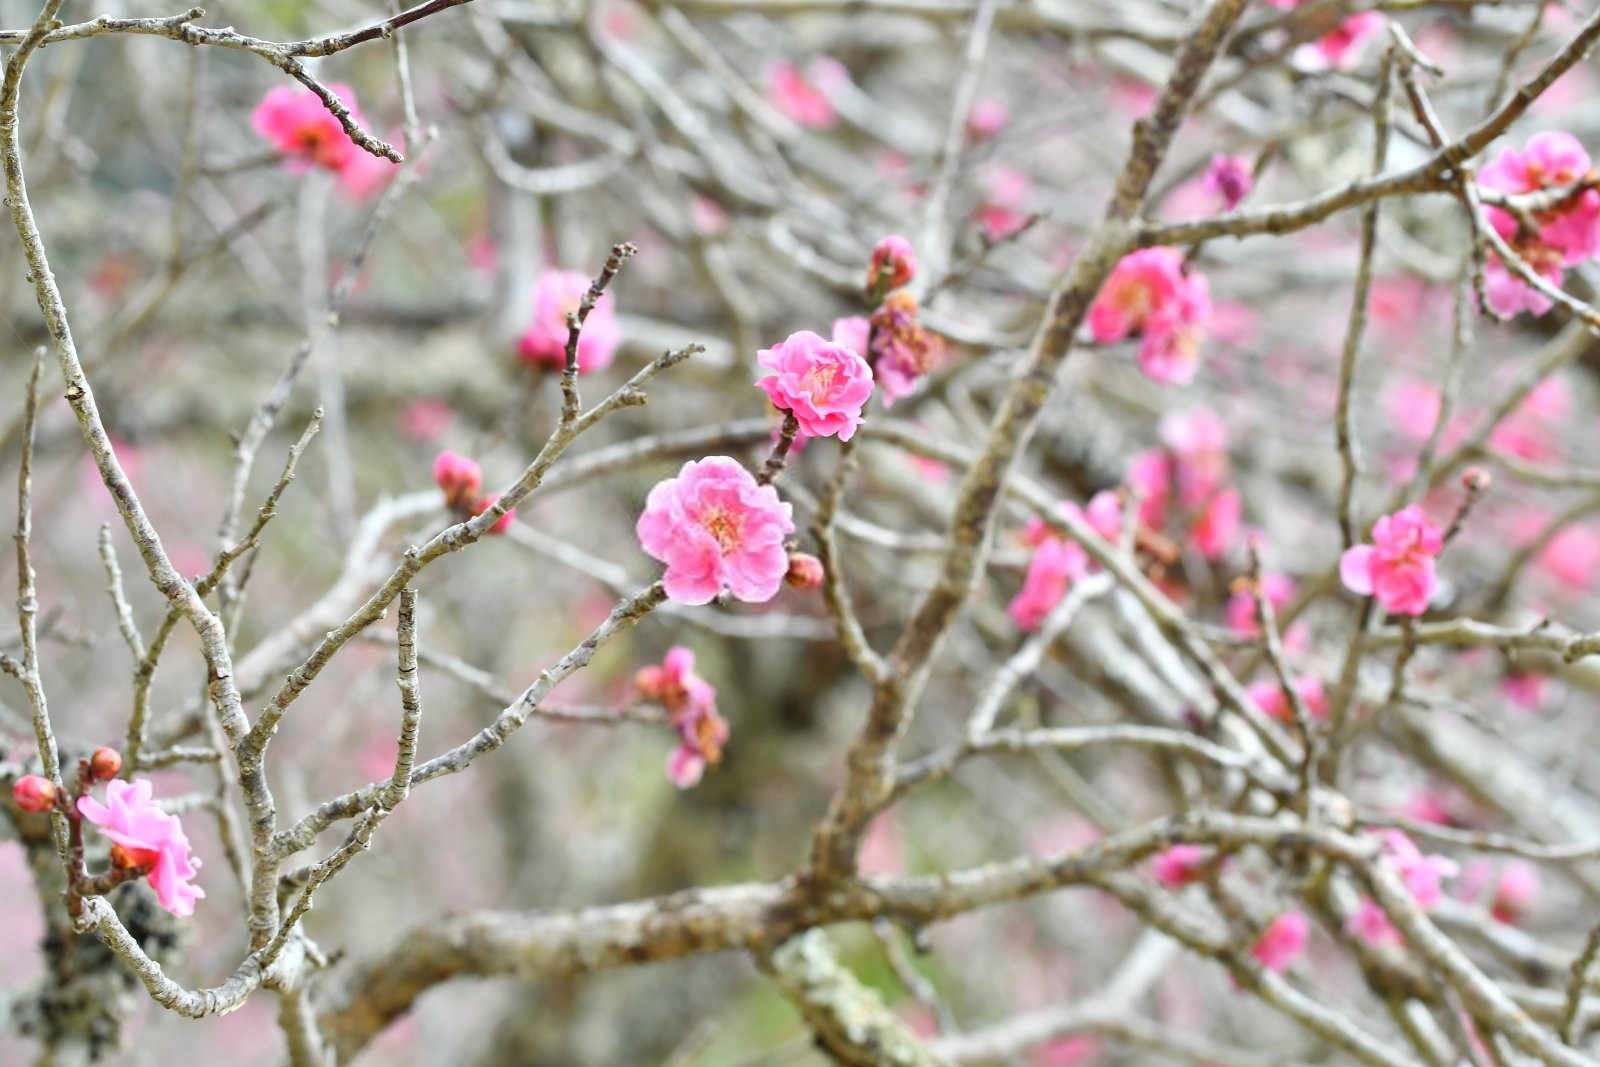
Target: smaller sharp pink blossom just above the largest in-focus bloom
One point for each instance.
(822, 383)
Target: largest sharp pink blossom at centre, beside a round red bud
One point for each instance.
(716, 529)
